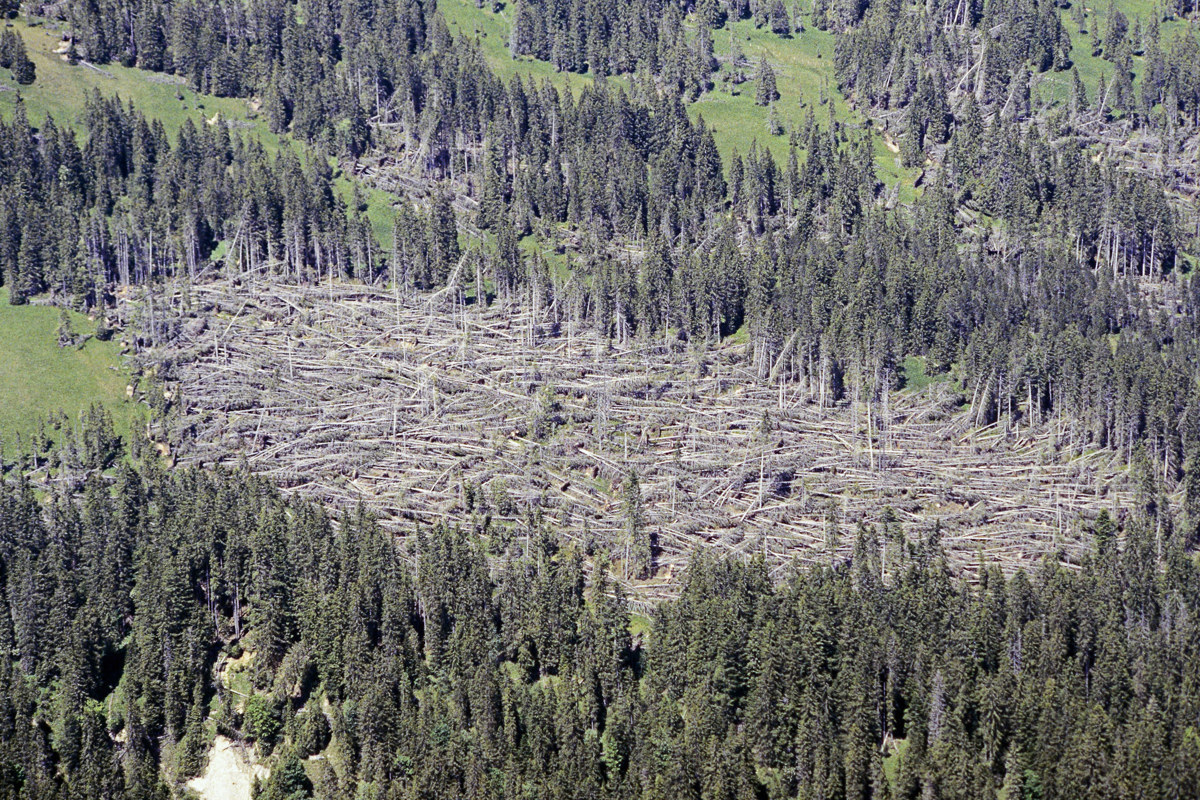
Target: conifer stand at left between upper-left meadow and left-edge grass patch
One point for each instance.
(287, 215)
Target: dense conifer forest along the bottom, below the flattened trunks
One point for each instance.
(466, 676)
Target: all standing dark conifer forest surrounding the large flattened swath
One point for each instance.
(497, 669)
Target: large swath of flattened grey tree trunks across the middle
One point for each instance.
(458, 414)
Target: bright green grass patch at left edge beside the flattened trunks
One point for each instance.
(38, 377)
